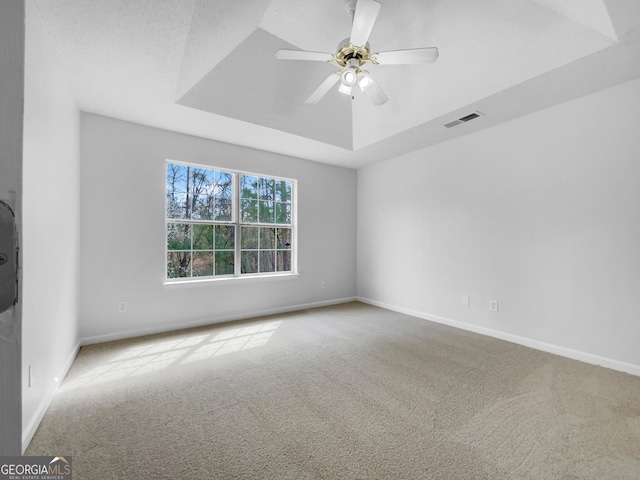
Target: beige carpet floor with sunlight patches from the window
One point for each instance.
(346, 392)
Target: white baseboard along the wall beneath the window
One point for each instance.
(110, 337)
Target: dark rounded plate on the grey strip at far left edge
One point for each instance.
(8, 258)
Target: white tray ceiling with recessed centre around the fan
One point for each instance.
(207, 68)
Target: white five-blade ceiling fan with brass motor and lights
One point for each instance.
(354, 52)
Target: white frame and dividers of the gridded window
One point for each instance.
(237, 224)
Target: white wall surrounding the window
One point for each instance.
(123, 244)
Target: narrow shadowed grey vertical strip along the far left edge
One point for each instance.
(11, 129)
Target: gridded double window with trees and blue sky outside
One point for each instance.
(224, 223)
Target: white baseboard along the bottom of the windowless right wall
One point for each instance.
(527, 342)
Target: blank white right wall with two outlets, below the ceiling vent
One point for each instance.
(541, 213)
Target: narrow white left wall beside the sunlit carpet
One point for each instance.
(51, 248)
